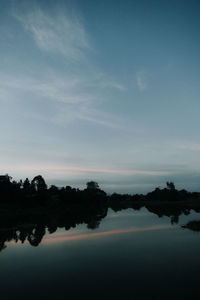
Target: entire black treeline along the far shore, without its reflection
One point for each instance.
(36, 192)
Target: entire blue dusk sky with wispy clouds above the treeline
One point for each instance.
(101, 90)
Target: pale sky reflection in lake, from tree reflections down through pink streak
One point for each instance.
(115, 223)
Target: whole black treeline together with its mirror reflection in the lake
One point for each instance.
(29, 208)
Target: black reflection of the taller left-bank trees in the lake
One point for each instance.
(68, 219)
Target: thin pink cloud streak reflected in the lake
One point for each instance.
(58, 238)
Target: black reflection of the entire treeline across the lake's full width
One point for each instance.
(69, 216)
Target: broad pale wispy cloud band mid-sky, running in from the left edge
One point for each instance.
(68, 96)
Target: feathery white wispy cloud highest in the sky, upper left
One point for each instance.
(63, 34)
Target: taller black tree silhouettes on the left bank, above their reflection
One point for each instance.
(36, 192)
